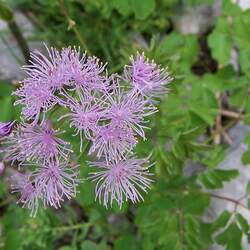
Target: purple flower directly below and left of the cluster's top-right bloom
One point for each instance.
(129, 109)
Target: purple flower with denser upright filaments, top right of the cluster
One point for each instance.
(147, 77)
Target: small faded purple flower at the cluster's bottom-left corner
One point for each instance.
(29, 194)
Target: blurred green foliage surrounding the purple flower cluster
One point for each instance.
(183, 130)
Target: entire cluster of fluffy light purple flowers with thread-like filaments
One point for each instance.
(110, 111)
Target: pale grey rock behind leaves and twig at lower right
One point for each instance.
(235, 189)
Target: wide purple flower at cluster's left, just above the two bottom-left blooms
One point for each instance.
(36, 142)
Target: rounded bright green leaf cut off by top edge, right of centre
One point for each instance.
(143, 8)
